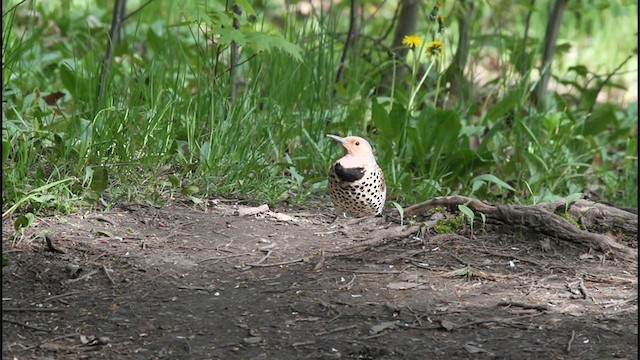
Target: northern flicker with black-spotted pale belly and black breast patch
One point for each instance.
(356, 182)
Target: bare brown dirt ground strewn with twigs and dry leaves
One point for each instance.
(207, 282)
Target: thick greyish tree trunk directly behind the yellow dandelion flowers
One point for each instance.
(408, 17)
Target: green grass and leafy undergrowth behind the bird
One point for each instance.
(167, 129)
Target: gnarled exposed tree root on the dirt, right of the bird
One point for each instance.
(542, 219)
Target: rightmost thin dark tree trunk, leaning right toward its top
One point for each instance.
(550, 38)
